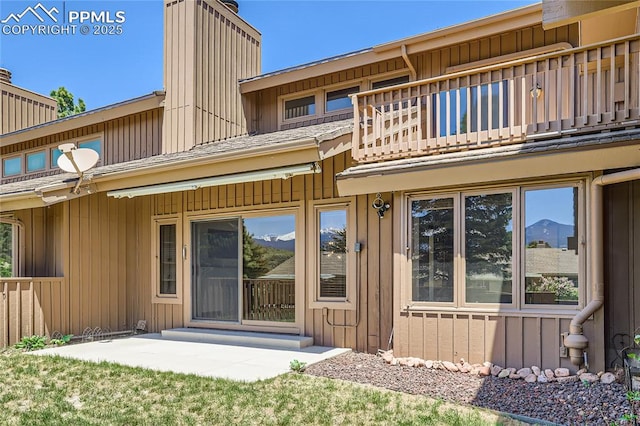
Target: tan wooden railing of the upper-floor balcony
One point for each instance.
(580, 89)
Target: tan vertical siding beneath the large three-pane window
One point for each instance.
(507, 339)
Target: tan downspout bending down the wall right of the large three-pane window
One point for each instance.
(576, 342)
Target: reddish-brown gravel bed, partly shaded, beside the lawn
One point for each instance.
(564, 404)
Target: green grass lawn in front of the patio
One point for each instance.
(38, 390)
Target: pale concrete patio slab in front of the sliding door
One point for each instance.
(151, 351)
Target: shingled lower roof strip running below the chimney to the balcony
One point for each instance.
(319, 133)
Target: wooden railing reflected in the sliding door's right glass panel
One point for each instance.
(269, 300)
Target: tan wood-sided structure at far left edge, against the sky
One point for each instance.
(21, 108)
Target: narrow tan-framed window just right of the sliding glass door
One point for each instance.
(334, 263)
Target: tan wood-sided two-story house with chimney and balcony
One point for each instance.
(416, 168)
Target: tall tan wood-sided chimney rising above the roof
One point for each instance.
(208, 49)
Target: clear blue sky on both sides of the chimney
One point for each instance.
(104, 69)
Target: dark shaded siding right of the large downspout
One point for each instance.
(622, 266)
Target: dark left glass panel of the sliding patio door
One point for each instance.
(215, 270)
